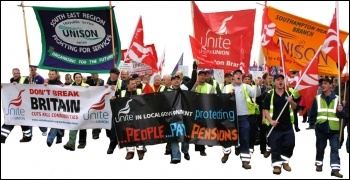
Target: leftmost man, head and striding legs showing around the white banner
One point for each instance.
(6, 129)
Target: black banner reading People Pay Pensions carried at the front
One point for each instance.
(175, 116)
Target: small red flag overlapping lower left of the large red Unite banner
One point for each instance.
(205, 60)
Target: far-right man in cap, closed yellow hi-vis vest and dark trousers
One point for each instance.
(325, 114)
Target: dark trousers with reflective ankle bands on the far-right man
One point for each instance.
(321, 144)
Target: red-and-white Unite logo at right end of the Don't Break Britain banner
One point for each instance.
(98, 114)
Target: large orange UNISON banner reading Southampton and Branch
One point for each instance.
(301, 38)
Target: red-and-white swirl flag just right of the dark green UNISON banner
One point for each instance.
(137, 51)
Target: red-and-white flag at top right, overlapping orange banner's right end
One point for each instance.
(332, 39)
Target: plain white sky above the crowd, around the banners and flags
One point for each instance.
(166, 24)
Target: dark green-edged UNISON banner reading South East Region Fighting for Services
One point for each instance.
(77, 39)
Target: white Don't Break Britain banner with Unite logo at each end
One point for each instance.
(54, 106)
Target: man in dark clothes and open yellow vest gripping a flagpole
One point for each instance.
(282, 137)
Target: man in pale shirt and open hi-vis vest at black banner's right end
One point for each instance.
(245, 111)
